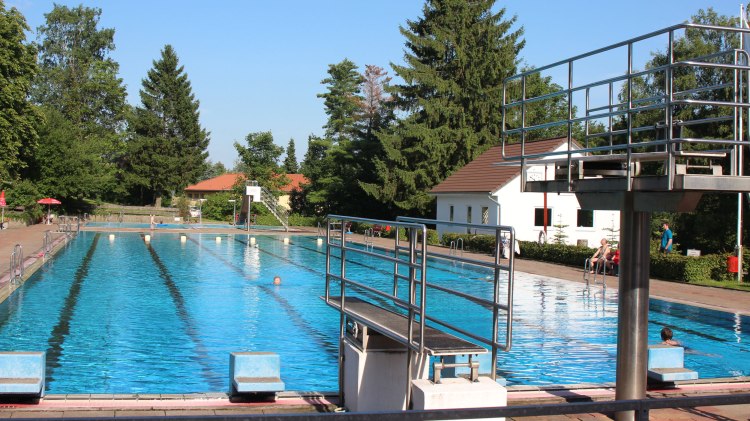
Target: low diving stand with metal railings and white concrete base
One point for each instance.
(389, 341)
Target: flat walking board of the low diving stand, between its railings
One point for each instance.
(394, 326)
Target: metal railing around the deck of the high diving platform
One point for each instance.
(729, 93)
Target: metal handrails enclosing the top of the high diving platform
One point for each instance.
(665, 100)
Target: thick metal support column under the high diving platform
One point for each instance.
(632, 316)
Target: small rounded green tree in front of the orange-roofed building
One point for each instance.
(260, 160)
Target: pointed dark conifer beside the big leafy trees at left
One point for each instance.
(167, 147)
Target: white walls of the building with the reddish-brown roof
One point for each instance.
(517, 210)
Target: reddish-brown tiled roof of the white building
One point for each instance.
(482, 175)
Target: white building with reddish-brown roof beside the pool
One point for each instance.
(487, 193)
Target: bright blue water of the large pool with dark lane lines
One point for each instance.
(124, 317)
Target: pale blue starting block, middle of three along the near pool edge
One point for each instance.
(254, 372)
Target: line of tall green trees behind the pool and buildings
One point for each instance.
(66, 129)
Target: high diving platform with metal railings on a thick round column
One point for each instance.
(643, 137)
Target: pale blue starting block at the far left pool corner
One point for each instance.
(22, 373)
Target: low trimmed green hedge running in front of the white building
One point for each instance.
(674, 267)
